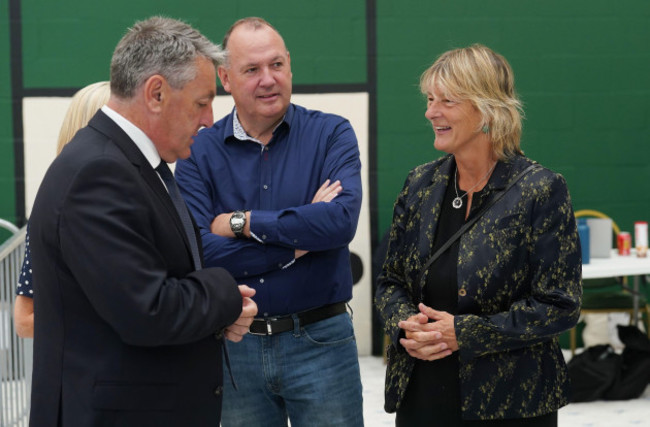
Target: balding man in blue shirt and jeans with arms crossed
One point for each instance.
(276, 191)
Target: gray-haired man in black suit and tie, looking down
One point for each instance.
(129, 330)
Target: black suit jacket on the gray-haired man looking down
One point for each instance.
(126, 333)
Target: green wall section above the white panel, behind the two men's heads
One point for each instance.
(68, 43)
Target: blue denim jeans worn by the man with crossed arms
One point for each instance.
(309, 375)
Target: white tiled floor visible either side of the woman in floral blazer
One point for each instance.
(593, 414)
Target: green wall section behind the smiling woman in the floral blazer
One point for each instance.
(582, 68)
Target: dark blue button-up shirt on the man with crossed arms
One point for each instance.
(277, 183)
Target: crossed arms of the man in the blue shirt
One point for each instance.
(326, 219)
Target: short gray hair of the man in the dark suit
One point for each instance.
(159, 45)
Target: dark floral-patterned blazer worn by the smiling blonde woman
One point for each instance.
(519, 286)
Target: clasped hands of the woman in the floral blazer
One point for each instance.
(427, 340)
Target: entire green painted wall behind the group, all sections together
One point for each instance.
(581, 67)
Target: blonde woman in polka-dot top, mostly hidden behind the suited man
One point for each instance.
(83, 106)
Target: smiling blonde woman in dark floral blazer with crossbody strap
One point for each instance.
(474, 337)
